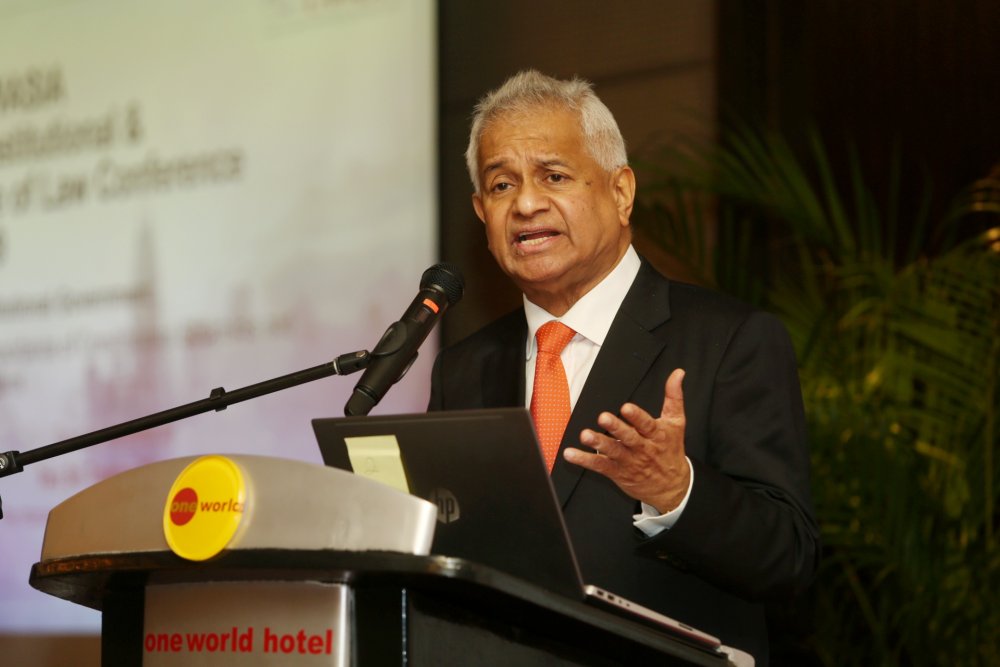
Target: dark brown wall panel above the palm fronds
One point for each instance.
(913, 79)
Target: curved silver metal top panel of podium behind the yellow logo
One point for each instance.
(288, 505)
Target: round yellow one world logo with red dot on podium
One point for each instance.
(204, 507)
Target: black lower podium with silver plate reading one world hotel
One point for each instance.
(396, 609)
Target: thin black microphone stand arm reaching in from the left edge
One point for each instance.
(219, 399)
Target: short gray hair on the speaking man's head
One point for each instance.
(527, 91)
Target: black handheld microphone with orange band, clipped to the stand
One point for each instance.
(441, 286)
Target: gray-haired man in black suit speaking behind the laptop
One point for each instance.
(683, 470)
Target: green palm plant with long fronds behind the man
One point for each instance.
(896, 323)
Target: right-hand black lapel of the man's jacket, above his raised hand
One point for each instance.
(632, 345)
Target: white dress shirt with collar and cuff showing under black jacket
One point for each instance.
(591, 318)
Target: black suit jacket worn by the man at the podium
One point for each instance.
(748, 532)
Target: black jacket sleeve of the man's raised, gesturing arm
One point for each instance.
(749, 524)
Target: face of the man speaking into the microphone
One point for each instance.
(556, 222)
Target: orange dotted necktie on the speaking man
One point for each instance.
(550, 393)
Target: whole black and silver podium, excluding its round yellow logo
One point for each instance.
(324, 568)
